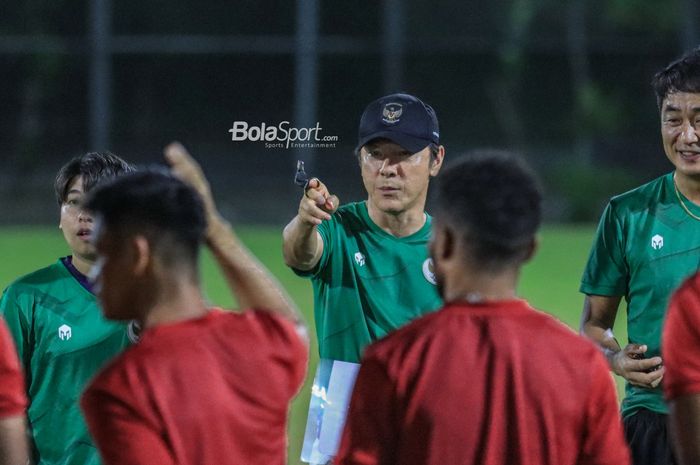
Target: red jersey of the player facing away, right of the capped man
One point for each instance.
(488, 384)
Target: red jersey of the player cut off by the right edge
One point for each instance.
(681, 341)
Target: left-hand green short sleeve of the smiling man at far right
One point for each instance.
(606, 272)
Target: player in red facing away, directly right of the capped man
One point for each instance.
(487, 379)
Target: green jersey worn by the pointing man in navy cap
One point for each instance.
(368, 282)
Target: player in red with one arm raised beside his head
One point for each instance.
(203, 386)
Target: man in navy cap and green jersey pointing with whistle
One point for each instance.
(368, 261)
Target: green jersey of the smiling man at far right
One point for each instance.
(646, 245)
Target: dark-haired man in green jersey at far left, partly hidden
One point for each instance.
(61, 336)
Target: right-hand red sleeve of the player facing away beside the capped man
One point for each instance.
(604, 441)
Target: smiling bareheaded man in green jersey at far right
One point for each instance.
(647, 243)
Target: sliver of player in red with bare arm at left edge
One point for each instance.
(13, 402)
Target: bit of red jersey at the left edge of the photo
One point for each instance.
(13, 397)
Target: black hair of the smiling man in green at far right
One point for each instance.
(682, 75)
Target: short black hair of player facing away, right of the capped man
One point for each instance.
(494, 201)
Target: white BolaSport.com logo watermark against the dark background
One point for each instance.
(282, 136)
